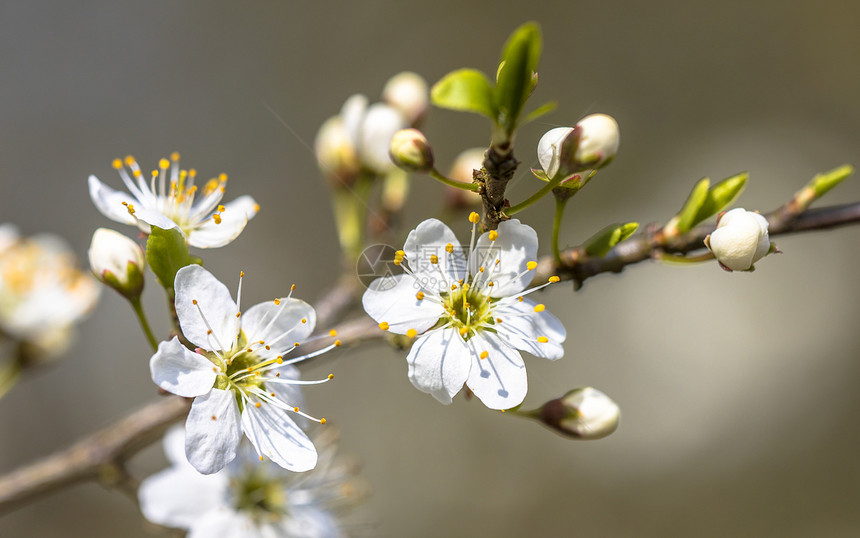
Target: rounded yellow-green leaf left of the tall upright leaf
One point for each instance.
(465, 89)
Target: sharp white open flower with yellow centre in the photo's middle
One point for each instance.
(467, 311)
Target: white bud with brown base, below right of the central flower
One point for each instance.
(584, 413)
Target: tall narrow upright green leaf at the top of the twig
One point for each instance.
(515, 79)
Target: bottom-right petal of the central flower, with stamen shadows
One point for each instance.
(500, 379)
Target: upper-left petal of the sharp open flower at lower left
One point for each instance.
(194, 283)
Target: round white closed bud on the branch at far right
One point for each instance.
(740, 240)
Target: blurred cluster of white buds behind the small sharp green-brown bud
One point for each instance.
(358, 138)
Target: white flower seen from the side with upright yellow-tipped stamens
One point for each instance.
(170, 199)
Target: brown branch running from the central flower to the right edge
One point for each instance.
(578, 266)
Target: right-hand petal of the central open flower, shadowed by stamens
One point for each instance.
(521, 326)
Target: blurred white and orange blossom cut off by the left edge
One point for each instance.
(42, 292)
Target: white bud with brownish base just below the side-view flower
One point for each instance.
(117, 261)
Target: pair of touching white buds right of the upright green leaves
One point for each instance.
(591, 144)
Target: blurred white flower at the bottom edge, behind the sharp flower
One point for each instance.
(249, 498)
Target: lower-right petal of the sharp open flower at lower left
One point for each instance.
(275, 436)
